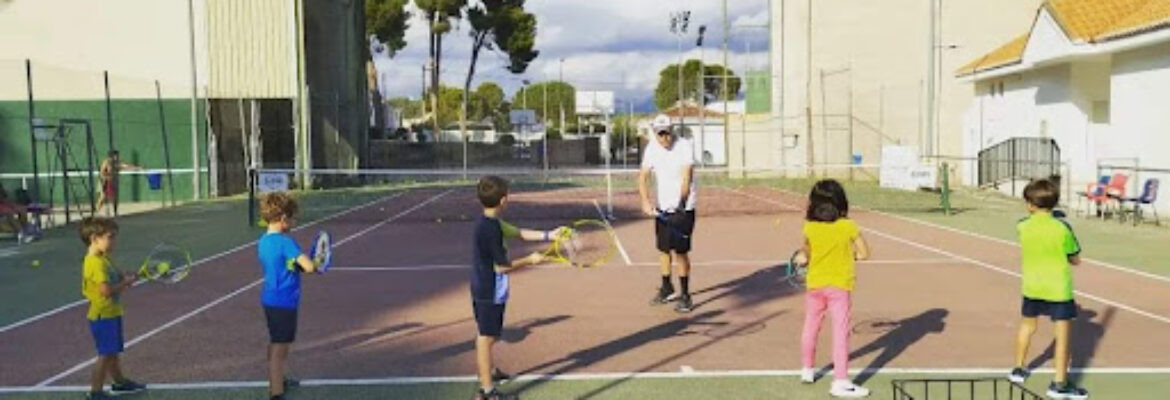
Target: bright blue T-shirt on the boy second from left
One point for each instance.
(283, 280)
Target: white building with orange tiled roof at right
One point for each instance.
(1095, 75)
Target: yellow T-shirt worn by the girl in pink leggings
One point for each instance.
(831, 260)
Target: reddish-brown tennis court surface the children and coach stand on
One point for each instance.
(397, 305)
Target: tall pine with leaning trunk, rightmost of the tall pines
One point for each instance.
(504, 26)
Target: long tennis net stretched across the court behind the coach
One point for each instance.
(569, 195)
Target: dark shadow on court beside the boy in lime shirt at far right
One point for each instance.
(1086, 339)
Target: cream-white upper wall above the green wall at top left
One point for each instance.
(73, 42)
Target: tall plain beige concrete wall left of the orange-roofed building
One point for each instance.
(884, 47)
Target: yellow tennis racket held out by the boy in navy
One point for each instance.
(586, 244)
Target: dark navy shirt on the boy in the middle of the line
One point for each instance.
(488, 252)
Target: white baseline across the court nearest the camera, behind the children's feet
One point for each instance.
(601, 376)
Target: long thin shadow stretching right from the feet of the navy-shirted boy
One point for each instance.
(588, 357)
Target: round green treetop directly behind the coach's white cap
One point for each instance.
(666, 95)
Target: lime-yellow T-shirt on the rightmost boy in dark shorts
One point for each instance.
(1047, 243)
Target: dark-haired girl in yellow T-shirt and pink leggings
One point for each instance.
(832, 243)
